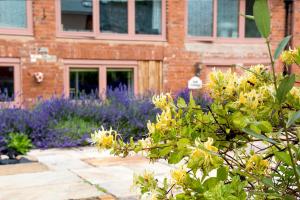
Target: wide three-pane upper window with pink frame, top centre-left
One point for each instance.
(112, 19)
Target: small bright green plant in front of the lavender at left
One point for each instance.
(19, 144)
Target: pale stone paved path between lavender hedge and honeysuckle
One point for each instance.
(77, 173)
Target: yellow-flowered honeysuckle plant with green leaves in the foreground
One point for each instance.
(244, 145)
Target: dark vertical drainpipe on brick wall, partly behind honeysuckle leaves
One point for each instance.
(288, 28)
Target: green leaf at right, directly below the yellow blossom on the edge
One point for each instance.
(284, 88)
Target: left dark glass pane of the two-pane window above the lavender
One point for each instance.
(84, 82)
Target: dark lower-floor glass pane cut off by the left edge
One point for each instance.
(6, 83)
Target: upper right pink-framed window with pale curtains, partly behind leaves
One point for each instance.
(212, 19)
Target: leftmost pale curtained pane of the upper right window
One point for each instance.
(200, 17)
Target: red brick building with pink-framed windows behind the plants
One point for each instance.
(65, 47)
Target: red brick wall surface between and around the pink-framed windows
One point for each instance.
(177, 57)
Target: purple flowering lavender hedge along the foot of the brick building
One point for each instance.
(63, 122)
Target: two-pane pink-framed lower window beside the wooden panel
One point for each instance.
(93, 78)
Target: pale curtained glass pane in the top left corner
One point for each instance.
(13, 14)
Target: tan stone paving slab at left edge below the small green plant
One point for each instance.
(22, 168)
